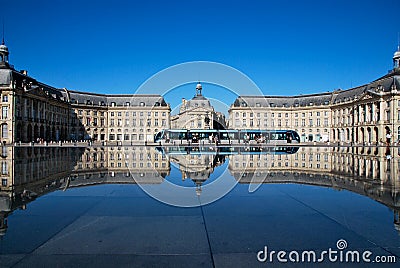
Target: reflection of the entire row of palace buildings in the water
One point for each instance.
(34, 171)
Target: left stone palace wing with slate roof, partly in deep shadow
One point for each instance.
(33, 111)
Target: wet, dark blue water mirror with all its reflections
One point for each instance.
(197, 206)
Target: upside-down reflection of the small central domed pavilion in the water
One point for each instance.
(197, 167)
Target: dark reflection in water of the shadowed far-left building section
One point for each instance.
(31, 172)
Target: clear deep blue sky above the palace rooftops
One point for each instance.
(285, 47)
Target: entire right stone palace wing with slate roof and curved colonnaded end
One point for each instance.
(368, 114)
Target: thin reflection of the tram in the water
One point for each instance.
(237, 150)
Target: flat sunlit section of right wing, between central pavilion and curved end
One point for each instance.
(309, 115)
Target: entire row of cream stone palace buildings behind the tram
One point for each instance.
(32, 111)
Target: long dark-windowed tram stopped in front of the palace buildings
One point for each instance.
(218, 136)
